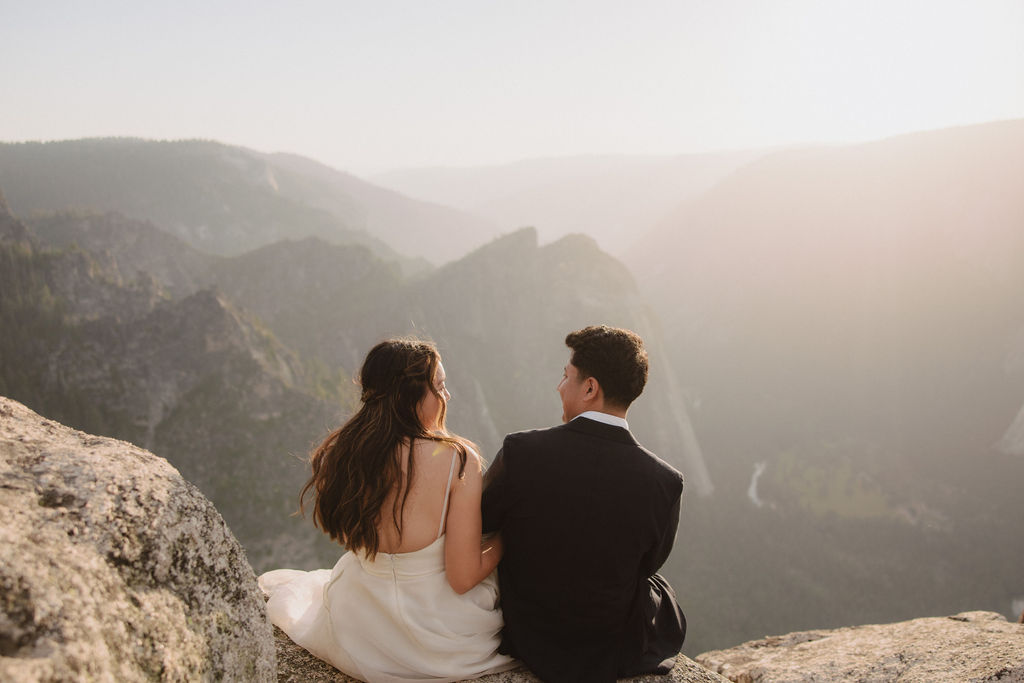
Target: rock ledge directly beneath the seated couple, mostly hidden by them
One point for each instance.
(297, 666)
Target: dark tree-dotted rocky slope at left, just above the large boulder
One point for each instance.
(194, 379)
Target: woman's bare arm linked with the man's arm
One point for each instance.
(468, 561)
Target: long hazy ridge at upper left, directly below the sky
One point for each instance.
(227, 200)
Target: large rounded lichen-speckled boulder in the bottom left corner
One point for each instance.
(115, 569)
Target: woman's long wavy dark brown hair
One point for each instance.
(360, 464)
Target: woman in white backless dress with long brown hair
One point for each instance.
(415, 599)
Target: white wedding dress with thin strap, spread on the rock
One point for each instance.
(394, 619)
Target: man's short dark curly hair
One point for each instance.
(614, 357)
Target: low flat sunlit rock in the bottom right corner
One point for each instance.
(971, 647)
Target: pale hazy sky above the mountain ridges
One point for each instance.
(368, 87)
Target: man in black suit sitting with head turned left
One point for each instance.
(588, 517)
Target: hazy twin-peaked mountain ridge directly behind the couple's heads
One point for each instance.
(499, 316)
